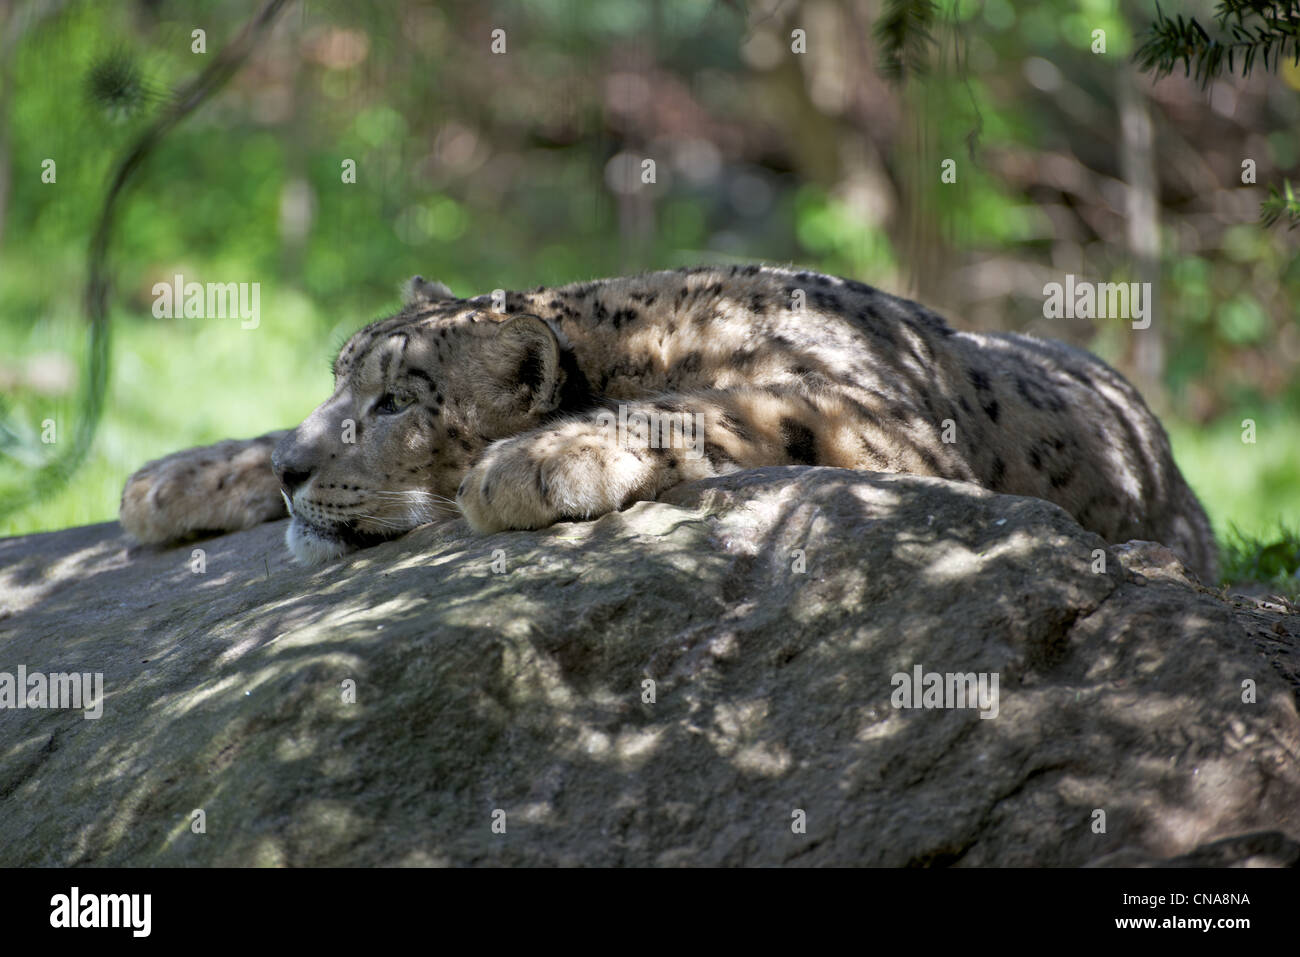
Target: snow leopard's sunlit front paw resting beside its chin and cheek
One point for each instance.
(566, 474)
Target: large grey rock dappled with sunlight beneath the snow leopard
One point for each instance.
(770, 609)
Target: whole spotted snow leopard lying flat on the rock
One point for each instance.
(452, 408)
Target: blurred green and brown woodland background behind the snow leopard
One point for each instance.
(775, 137)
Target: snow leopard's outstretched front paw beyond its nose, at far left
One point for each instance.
(216, 488)
